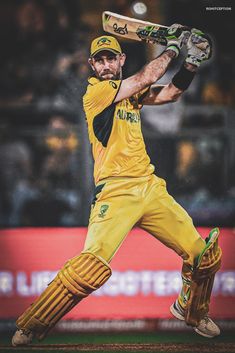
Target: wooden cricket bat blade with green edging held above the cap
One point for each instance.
(132, 28)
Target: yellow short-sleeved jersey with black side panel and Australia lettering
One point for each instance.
(115, 131)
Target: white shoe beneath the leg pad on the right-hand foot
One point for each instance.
(206, 326)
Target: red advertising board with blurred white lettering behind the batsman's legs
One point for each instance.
(145, 281)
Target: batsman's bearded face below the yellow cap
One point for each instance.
(107, 65)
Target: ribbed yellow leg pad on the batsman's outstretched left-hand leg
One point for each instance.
(76, 280)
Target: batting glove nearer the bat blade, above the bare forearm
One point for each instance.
(176, 36)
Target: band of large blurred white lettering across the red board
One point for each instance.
(126, 283)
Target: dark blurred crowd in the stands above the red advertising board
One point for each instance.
(43, 74)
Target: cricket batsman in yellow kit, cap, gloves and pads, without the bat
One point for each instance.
(127, 192)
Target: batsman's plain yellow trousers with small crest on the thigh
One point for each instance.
(122, 203)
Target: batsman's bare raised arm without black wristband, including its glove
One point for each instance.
(154, 70)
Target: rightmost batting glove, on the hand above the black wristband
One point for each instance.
(199, 46)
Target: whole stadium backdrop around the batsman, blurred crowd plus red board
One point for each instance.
(46, 167)
